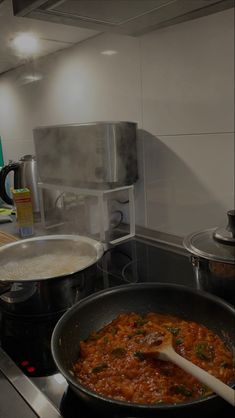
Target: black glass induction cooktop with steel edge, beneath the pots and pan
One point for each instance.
(26, 363)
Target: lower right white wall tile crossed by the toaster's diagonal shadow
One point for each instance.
(189, 181)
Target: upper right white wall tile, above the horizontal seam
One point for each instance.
(188, 77)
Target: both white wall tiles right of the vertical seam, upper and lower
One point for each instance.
(188, 124)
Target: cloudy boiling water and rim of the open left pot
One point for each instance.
(47, 257)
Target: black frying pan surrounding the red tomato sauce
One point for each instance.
(93, 312)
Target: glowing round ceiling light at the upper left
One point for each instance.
(26, 44)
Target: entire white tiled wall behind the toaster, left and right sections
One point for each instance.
(177, 83)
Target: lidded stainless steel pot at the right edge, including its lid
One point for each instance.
(213, 259)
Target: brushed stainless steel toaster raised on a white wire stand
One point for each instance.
(93, 155)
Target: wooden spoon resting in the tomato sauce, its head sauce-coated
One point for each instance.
(159, 345)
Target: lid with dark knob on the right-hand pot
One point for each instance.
(216, 244)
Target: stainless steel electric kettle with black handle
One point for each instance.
(25, 175)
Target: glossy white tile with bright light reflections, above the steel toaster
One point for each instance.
(79, 84)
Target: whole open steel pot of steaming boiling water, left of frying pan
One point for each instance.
(30, 287)
